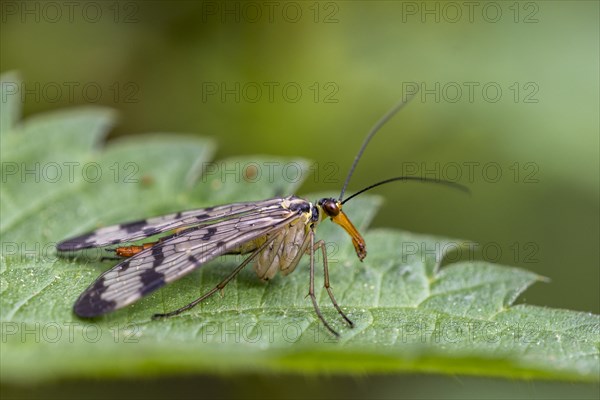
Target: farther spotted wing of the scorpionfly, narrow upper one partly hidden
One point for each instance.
(136, 230)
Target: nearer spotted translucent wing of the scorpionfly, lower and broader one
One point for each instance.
(175, 257)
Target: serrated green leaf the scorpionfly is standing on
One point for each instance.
(410, 315)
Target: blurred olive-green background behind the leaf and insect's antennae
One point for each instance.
(507, 88)
